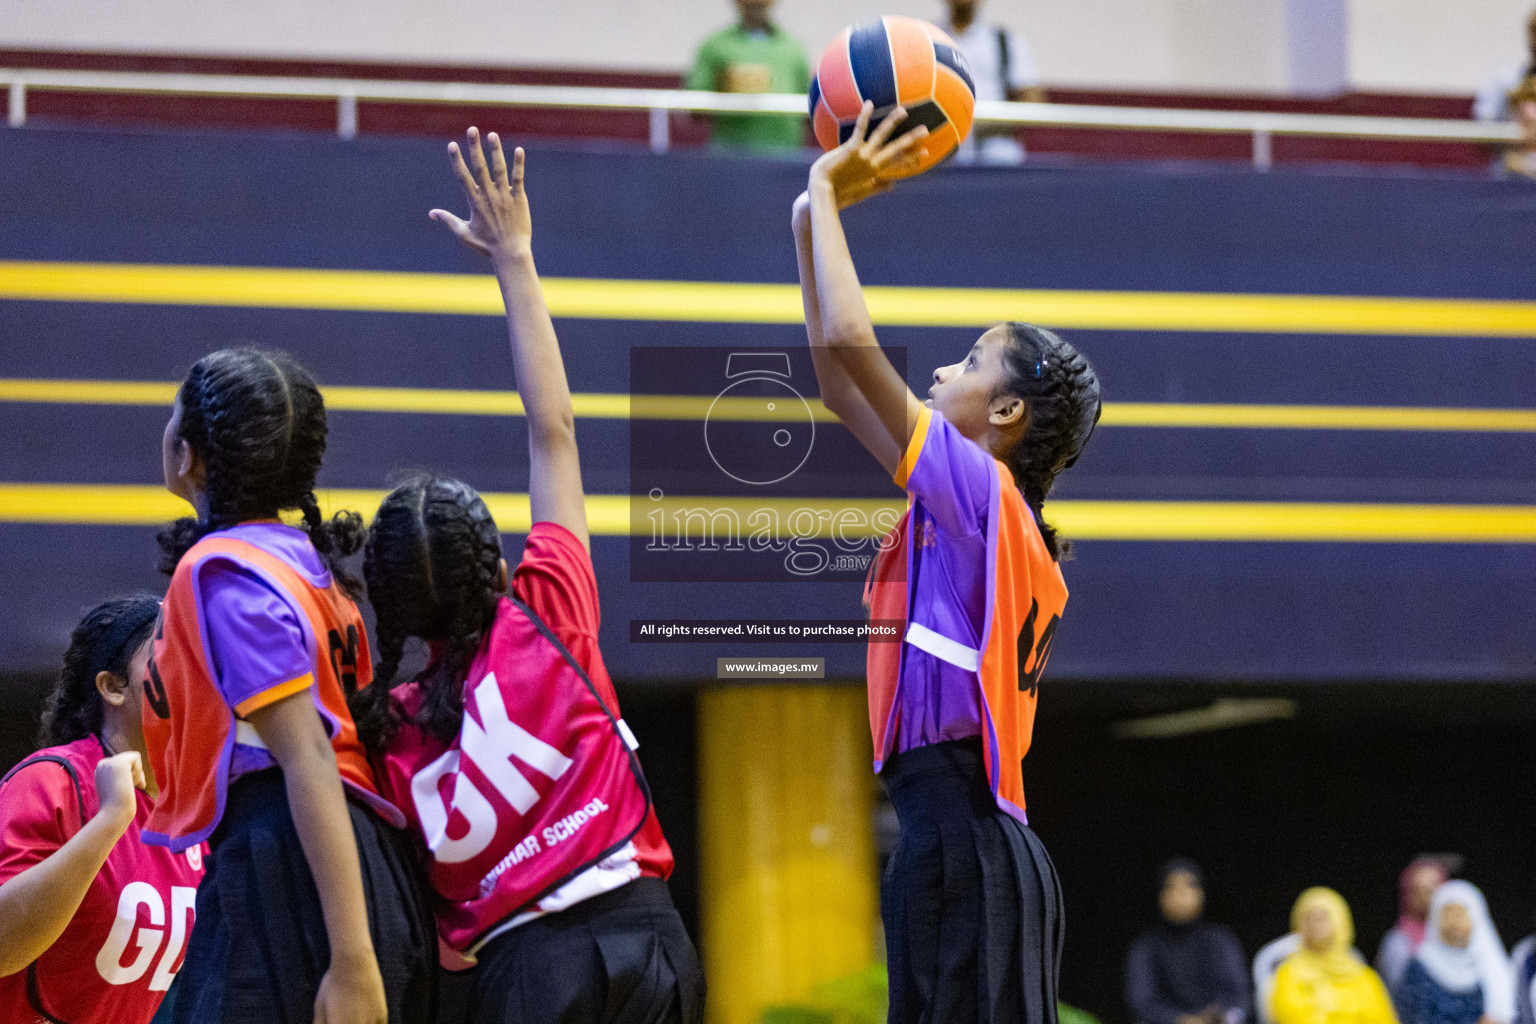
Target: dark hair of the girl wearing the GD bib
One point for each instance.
(105, 641)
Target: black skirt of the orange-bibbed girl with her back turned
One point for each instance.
(259, 948)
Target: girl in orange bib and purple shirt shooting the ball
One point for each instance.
(972, 905)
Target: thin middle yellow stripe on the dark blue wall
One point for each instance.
(607, 406)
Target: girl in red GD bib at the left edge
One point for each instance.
(93, 922)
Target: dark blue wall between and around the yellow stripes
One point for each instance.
(1140, 610)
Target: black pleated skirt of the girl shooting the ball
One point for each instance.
(972, 903)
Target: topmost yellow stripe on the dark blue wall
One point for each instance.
(729, 303)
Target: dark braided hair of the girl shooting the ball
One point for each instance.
(1062, 394)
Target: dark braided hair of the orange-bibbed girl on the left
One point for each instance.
(259, 424)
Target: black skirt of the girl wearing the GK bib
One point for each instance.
(618, 959)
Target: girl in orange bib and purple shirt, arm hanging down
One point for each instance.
(311, 907)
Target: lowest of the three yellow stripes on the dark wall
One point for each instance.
(609, 515)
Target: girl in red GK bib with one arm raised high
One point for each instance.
(508, 753)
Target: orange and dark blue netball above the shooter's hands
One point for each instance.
(895, 61)
